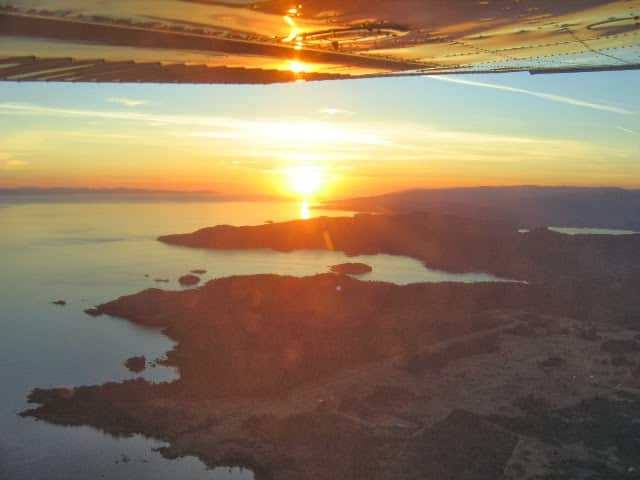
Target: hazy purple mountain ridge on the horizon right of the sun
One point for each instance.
(521, 206)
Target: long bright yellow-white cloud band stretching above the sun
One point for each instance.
(269, 139)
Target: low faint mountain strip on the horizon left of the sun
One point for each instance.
(63, 194)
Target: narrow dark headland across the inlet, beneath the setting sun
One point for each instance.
(443, 242)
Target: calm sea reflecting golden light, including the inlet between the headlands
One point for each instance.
(91, 253)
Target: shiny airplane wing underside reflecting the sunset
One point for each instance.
(267, 41)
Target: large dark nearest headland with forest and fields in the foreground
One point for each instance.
(297, 378)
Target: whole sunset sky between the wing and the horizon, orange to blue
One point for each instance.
(349, 138)
